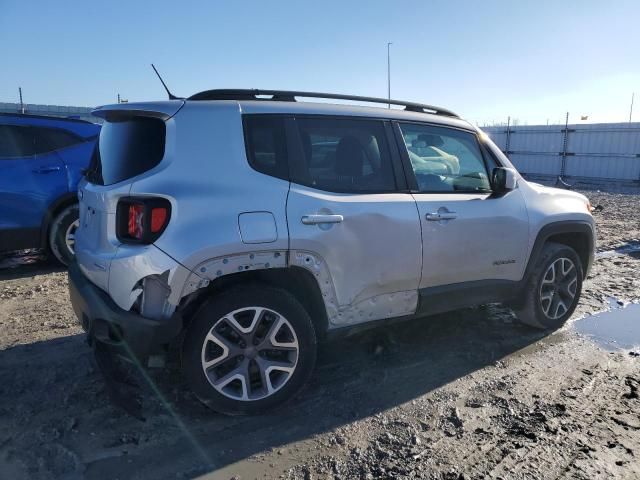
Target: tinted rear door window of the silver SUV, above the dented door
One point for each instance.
(344, 155)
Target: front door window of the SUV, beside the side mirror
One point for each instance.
(445, 160)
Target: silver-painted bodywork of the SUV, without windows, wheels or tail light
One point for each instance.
(369, 252)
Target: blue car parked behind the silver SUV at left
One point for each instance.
(41, 161)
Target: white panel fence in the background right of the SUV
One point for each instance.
(599, 150)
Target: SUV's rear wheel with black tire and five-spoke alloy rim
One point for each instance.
(228, 321)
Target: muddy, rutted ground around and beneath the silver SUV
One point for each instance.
(465, 395)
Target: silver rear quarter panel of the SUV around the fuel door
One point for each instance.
(204, 223)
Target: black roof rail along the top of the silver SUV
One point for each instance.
(290, 96)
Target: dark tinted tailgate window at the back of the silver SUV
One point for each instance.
(127, 148)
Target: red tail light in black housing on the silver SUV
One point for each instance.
(142, 220)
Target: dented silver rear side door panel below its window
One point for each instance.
(368, 261)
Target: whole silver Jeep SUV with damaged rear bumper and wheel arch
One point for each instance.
(245, 227)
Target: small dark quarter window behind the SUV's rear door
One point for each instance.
(266, 144)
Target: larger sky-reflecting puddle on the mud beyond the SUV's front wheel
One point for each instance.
(618, 328)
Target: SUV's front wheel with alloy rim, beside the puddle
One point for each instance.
(552, 294)
